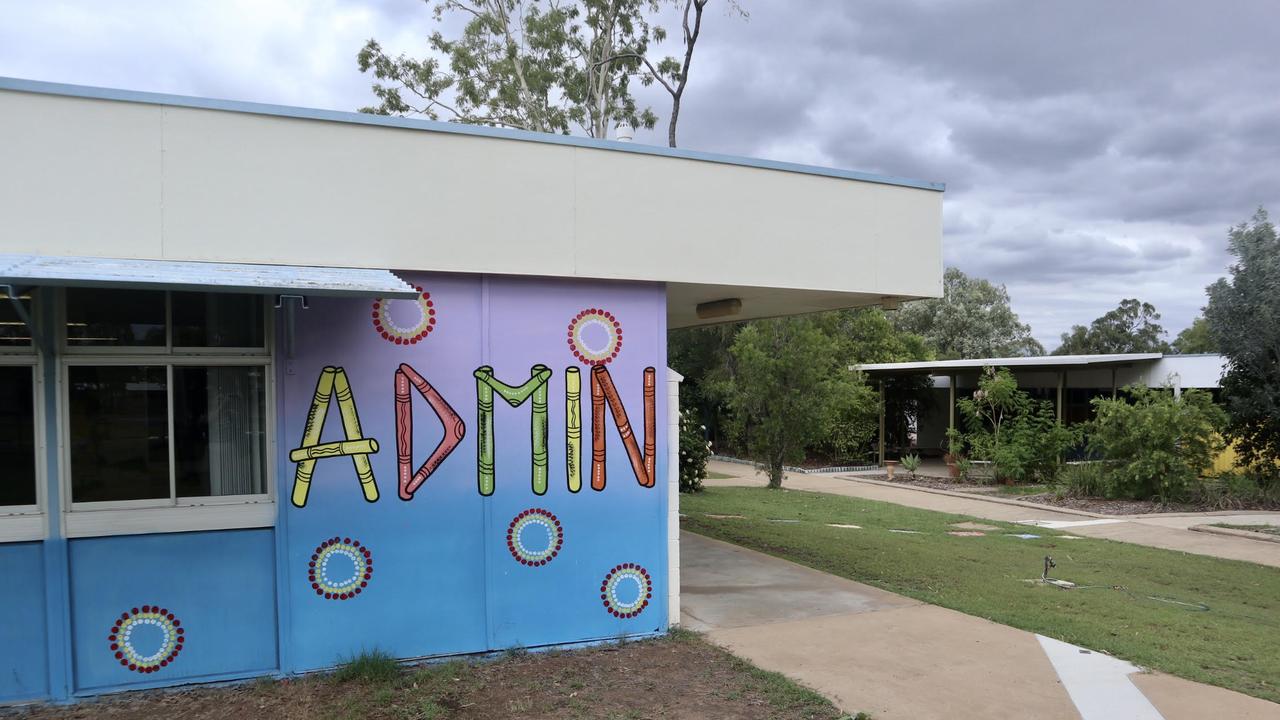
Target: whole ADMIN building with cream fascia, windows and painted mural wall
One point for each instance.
(285, 385)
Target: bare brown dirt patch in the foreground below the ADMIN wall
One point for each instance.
(678, 677)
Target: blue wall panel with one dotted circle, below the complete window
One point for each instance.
(218, 586)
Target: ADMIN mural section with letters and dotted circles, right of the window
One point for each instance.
(487, 541)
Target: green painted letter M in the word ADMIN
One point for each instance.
(536, 389)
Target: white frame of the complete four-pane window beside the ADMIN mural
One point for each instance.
(172, 513)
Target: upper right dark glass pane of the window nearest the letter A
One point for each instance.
(217, 320)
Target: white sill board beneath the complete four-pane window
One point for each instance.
(149, 521)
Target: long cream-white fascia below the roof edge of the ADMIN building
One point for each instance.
(127, 180)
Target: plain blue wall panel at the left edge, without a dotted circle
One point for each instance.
(25, 662)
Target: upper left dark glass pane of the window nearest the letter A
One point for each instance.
(115, 318)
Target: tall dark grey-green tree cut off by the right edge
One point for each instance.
(1244, 317)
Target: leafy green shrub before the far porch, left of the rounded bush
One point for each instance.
(1021, 438)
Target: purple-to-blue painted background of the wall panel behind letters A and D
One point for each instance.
(426, 595)
